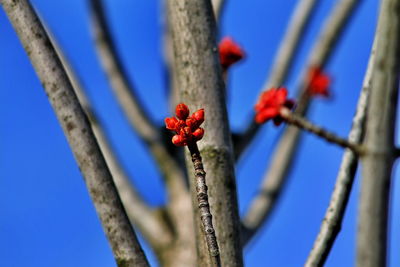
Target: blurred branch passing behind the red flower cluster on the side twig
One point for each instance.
(283, 61)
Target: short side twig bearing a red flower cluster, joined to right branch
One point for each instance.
(302, 123)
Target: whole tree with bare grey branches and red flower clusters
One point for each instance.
(200, 225)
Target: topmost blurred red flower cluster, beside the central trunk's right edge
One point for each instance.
(229, 52)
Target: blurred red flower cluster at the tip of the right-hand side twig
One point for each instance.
(270, 104)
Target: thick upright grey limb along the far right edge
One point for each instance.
(378, 160)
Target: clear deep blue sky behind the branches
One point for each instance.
(47, 216)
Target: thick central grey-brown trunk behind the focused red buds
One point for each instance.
(201, 84)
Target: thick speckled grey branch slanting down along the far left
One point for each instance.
(126, 249)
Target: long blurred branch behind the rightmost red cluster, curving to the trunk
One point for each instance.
(275, 178)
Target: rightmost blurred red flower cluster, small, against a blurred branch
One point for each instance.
(318, 82)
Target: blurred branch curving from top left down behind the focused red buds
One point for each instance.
(129, 103)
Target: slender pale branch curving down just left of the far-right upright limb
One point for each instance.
(332, 222)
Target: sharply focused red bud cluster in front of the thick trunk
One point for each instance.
(186, 127)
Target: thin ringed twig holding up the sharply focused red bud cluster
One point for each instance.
(204, 206)
